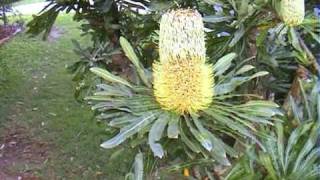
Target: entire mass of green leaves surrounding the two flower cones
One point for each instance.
(256, 57)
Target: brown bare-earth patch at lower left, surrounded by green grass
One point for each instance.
(20, 152)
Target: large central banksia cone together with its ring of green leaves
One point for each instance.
(182, 102)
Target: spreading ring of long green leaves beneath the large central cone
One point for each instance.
(132, 108)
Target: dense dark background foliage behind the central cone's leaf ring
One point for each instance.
(254, 31)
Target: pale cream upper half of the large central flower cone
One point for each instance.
(182, 35)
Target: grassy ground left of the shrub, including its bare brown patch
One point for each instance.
(44, 132)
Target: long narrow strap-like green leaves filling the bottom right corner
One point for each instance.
(291, 152)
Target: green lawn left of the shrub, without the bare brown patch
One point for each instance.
(35, 75)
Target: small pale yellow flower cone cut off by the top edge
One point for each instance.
(292, 12)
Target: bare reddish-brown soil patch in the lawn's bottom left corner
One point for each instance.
(17, 148)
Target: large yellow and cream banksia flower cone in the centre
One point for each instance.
(182, 80)
